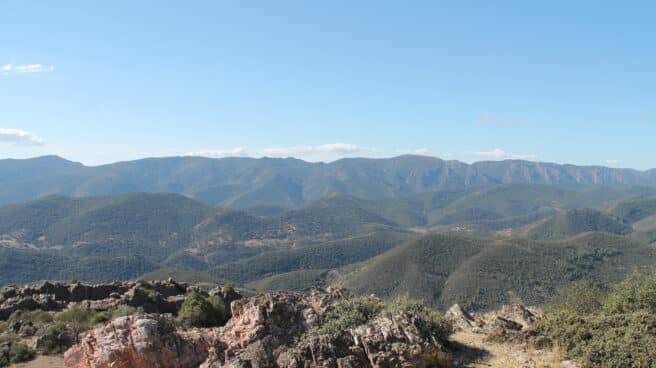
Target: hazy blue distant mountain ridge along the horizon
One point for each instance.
(288, 182)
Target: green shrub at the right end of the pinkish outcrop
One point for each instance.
(436, 324)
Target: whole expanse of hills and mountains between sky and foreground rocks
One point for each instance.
(480, 235)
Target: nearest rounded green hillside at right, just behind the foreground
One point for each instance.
(484, 273)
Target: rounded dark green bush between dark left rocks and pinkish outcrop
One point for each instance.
(198, 311)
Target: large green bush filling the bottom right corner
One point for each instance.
(614, 330)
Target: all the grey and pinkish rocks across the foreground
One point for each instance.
(272, 330)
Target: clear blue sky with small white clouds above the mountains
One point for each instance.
(558, 81)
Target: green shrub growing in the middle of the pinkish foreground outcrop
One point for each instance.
(347, 314)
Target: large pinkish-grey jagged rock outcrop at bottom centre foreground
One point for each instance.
(267, 330)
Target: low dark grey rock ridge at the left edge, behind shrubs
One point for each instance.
(154, 297)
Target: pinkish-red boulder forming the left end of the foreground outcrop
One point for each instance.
(140, 341)
